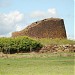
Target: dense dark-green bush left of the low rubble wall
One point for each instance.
(19, 44)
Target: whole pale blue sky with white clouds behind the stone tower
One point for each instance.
(17, 14)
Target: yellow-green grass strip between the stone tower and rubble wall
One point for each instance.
(47, 41)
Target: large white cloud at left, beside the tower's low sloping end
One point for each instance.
(10, 21)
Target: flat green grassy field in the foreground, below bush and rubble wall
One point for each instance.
(37, 64)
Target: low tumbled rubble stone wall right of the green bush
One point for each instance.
(58, 48)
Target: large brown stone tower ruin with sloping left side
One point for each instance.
(47, 28)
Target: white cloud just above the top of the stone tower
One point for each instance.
(52, 12)
